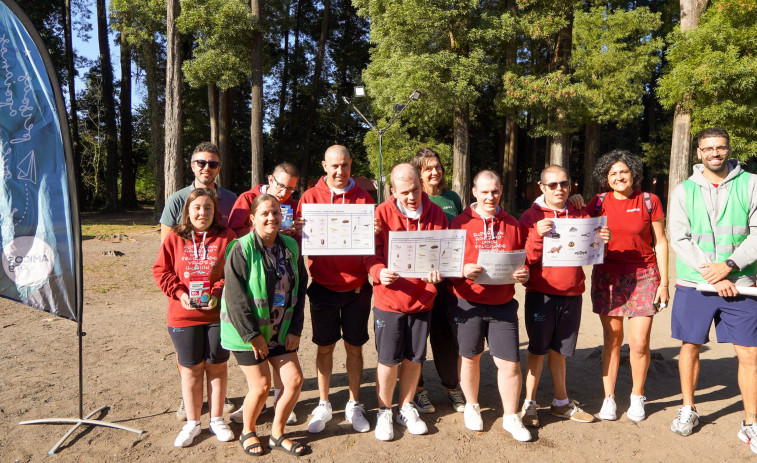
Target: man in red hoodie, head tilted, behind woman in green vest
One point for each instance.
(281, 184)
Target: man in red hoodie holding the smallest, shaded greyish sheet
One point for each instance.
(488, 311)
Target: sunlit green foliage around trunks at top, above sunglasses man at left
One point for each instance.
(223, 31)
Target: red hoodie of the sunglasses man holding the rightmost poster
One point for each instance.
(558, 281)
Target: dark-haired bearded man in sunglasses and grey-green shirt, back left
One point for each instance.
(205, 164)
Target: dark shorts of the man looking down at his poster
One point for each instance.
(400, 336)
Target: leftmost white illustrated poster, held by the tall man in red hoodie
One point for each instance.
(338, 230)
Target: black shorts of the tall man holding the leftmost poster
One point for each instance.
(336, 315)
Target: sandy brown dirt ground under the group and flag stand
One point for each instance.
(129, 366)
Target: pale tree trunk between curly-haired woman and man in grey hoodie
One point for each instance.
(680, 148)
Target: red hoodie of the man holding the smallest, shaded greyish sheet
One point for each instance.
(499, 233)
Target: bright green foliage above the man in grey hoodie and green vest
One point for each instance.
(713, 71)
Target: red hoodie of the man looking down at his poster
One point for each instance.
(406, 295)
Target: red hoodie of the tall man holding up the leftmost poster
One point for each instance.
(338, 273)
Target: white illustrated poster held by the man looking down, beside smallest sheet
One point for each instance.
(413, 254)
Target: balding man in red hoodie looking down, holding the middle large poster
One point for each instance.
(402, 306)
